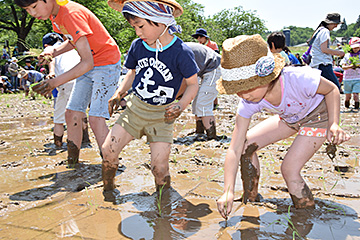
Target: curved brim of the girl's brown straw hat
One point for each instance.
(235, 86)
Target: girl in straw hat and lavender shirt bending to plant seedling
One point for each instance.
(305, 103)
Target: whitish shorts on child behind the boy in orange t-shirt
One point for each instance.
(64, 92)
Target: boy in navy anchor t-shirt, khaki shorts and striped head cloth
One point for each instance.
(158, 62)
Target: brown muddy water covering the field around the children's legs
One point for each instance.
(42, 199)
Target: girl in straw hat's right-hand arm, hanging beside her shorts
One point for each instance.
(332, 97)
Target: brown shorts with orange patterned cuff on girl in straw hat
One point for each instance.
(314, 124)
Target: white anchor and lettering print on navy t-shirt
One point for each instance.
(160, 94)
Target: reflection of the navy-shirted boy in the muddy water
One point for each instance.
(179, 218)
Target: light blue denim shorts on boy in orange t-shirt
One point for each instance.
(95, 87)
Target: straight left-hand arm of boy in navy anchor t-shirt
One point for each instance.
(125, 85)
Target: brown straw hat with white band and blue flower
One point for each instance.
(247, 63)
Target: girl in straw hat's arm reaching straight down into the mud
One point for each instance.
(232, 160)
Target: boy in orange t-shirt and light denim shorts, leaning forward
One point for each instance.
(97, 74)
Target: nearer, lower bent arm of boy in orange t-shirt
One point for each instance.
(86, 64)
